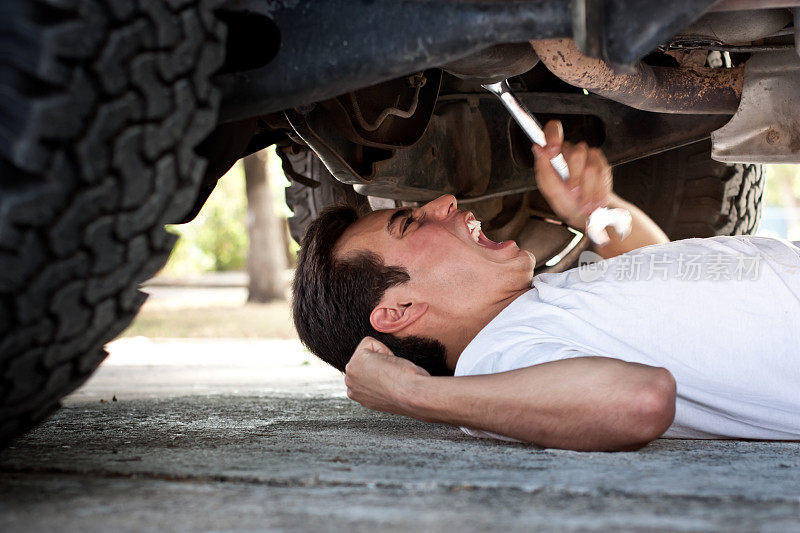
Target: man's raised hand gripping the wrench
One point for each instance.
(590, 182)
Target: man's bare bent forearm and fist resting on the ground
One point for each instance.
(586, 403)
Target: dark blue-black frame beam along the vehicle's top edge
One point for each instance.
(354, 44)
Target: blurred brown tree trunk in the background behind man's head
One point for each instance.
(266, 257)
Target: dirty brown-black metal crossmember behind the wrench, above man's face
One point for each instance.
(452, 156)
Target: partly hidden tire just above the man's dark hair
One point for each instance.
(312, 188)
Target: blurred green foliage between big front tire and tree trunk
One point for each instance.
(217, 238)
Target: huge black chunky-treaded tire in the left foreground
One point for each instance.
(102, 103)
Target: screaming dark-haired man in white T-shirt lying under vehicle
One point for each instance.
(587, 359)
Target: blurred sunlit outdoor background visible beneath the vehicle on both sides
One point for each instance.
(229, 274)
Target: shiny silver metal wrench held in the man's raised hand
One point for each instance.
(600, 218)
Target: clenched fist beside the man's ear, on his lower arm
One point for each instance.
(379, 380)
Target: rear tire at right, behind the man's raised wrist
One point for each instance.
(690, 195)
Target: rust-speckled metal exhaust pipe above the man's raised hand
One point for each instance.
(658, 89)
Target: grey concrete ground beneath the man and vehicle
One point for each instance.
(243, 436)
